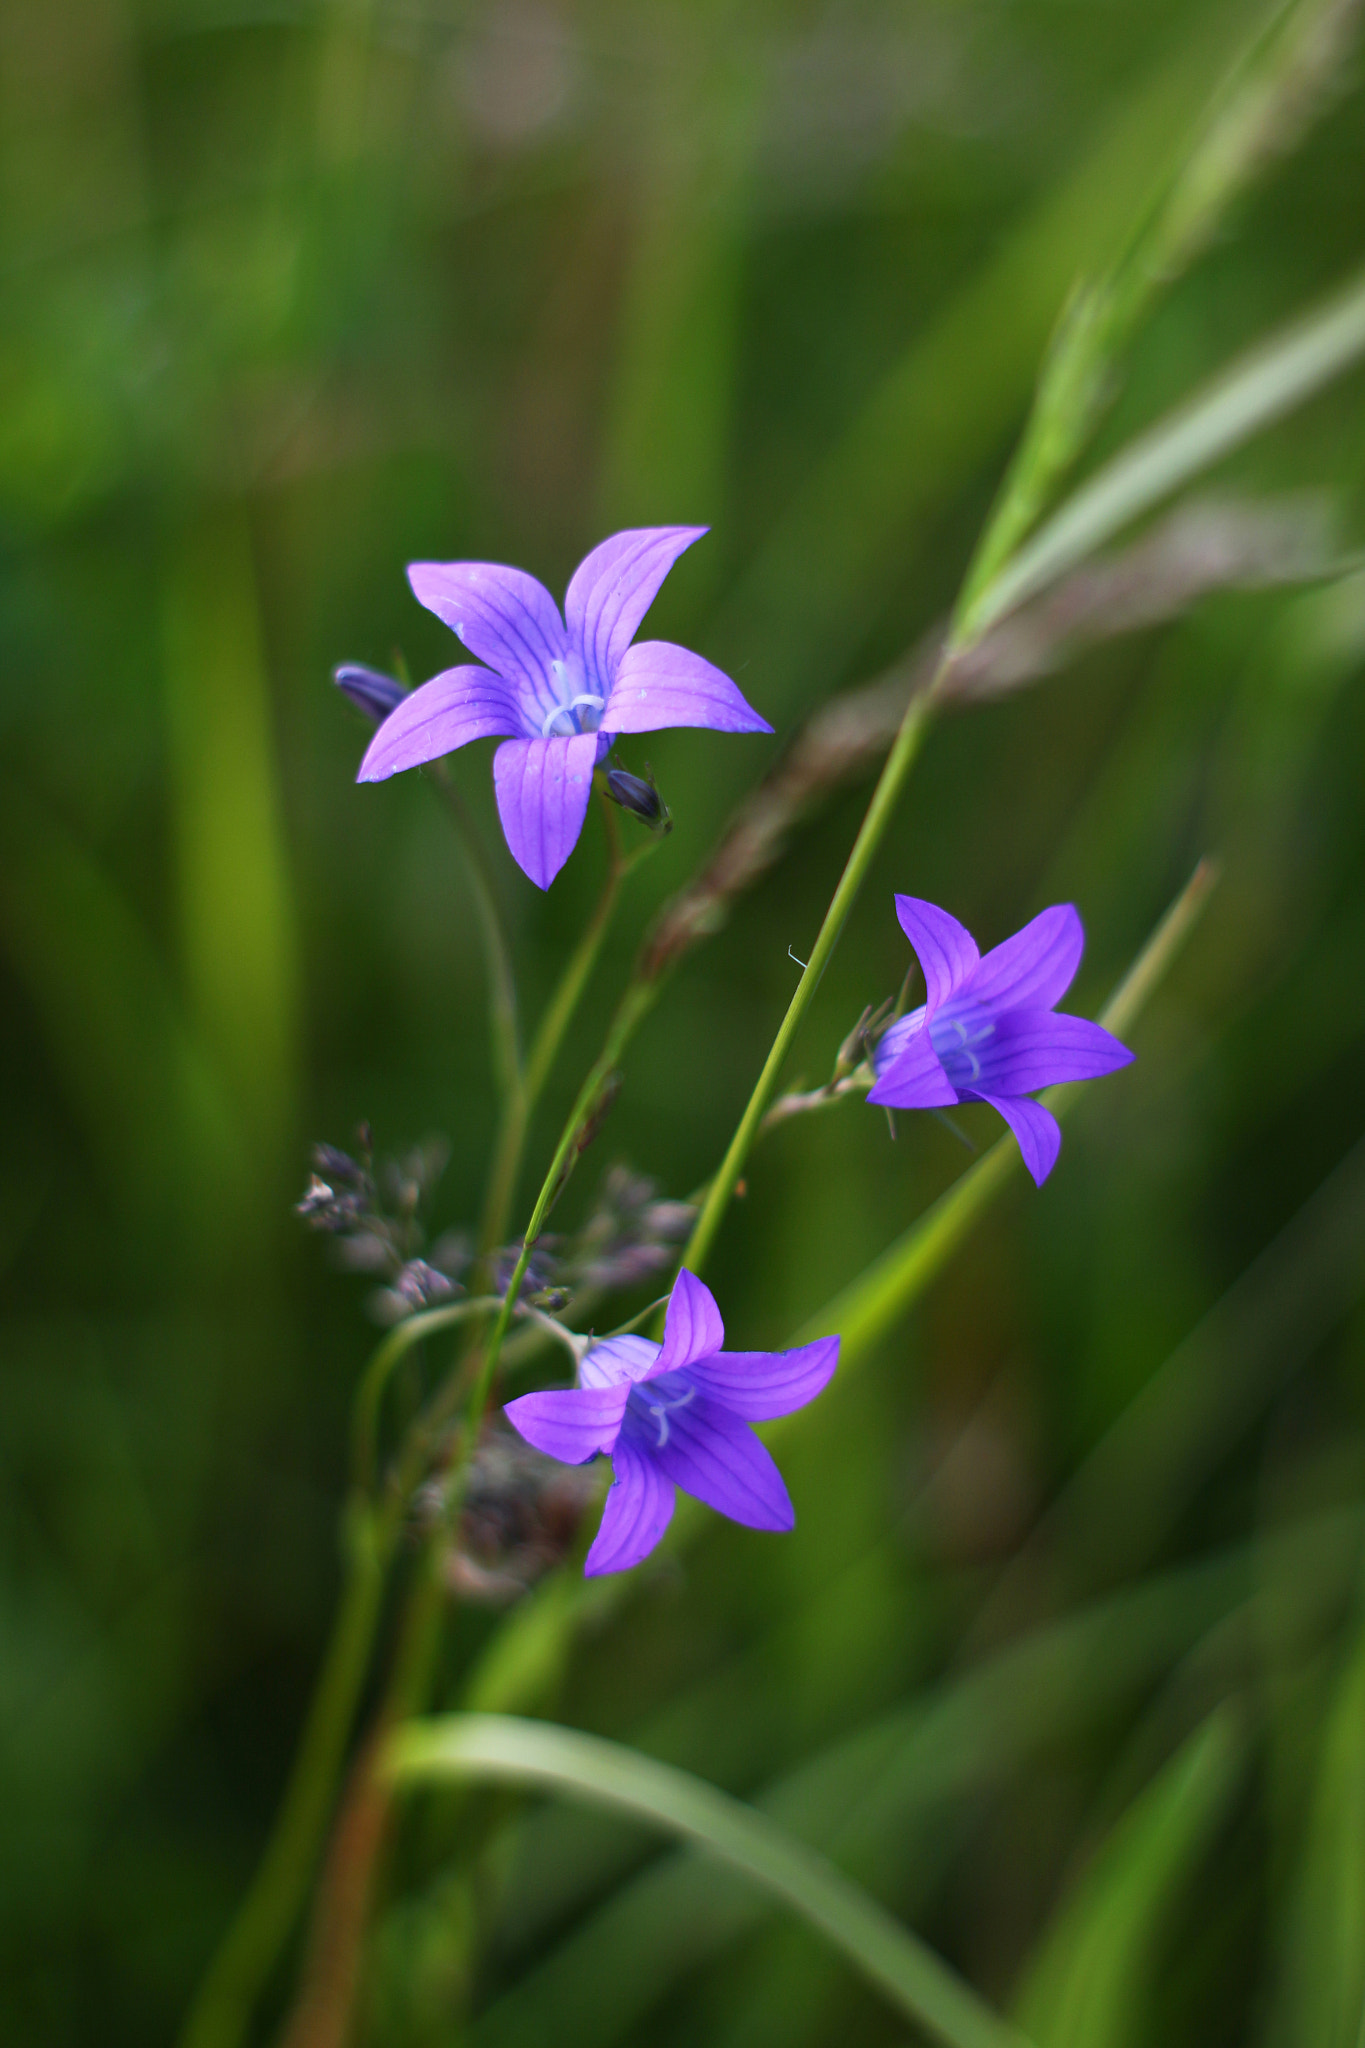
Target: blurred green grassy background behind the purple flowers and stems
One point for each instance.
(294, 294)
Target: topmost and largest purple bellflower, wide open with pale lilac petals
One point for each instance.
(556, 691)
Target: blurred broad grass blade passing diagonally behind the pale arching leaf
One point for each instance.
(883, 1799)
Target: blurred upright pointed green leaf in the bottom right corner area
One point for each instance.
(1088, 1983)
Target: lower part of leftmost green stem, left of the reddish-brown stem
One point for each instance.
(269, 1912)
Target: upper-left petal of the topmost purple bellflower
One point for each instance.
(504, 617)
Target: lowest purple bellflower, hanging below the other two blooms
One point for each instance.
(676, 1414)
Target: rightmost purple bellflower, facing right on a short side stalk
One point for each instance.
(989, 1031)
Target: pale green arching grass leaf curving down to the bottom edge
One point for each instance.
(564, 1760)
